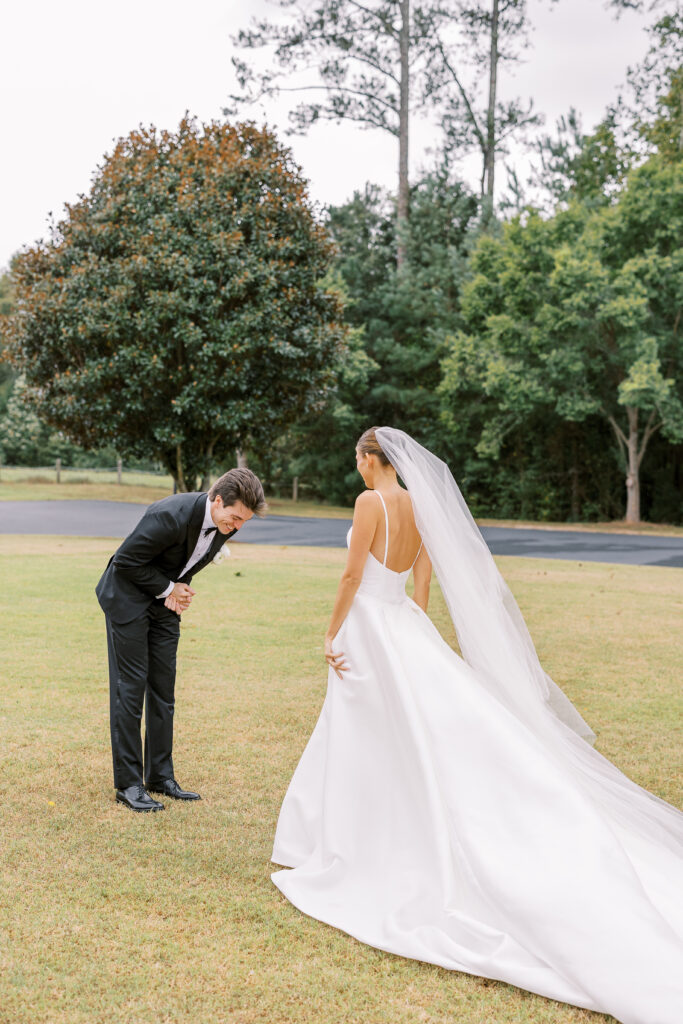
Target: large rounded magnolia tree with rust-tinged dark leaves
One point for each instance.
(177, 312)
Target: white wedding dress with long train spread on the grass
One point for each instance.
(426, 820)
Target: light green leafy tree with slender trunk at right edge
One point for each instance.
(573, 321)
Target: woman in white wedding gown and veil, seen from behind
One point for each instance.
(453, 809)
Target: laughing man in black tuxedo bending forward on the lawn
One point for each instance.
(144, 589)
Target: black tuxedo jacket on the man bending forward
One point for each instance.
(154, 556)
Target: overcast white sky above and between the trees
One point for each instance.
(76, 75)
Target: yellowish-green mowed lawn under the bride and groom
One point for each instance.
(112, 918)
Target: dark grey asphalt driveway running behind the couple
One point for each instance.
(83, 519)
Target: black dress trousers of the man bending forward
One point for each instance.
(142, 657)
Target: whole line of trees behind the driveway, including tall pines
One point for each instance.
(194, 304)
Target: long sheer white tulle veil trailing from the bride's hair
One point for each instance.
(496, 644)
